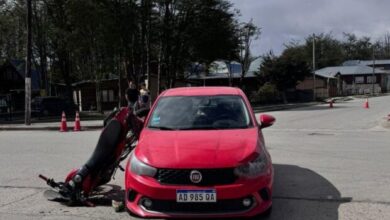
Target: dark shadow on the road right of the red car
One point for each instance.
(300, 193)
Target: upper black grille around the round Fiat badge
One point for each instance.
(210, 177)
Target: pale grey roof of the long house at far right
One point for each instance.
(330, 72)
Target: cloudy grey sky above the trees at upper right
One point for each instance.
(283, 21)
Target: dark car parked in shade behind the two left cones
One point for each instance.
(45, 106)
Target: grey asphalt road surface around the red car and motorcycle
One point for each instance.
(329, 164)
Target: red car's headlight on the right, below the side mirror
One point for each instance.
(254, 168)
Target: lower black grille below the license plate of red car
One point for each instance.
(222, 206)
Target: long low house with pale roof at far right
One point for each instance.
(350, 80)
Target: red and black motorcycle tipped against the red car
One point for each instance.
(118, 138)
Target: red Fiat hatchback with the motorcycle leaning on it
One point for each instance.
(201, 154)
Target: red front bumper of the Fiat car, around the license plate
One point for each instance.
(229, 198)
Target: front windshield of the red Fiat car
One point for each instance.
(200, 113)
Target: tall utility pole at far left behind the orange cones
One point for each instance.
(27, 115)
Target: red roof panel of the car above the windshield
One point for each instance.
(202, 91)
